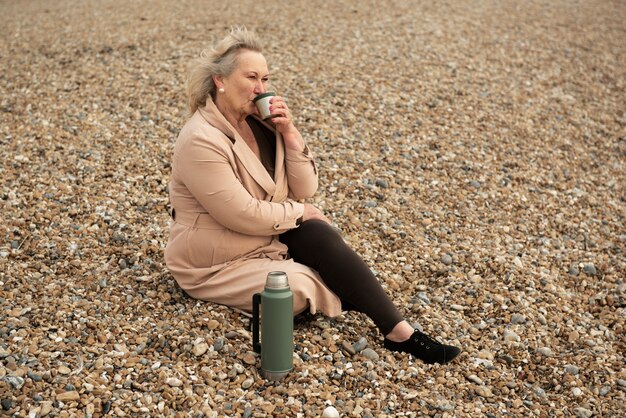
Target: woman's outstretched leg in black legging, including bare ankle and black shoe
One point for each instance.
(319, 246)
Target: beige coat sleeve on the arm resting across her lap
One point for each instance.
(206, 170)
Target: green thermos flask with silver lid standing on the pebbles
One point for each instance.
(276, 317)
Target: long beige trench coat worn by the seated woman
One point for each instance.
(229, 212)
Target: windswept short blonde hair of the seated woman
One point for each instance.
(221, 59)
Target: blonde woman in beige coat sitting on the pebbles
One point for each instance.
(235, 190)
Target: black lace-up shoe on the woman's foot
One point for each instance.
(424, 348)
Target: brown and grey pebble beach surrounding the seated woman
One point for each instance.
(472, 152)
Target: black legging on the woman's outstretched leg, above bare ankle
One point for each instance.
(318, 245)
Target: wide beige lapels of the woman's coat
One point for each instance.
(250, 161)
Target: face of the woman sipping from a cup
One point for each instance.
(248, 80)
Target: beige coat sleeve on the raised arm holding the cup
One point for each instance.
(301, 173)
